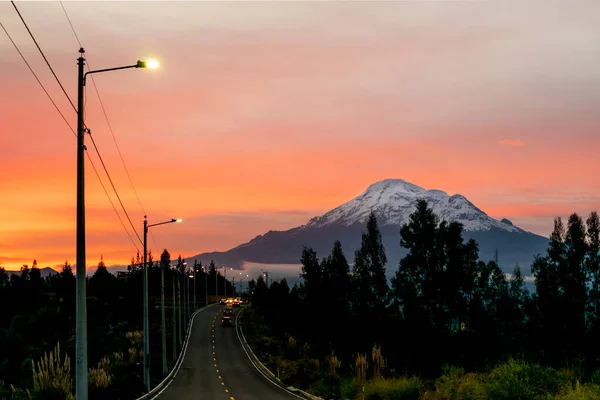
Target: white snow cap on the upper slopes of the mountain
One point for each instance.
(393, 200)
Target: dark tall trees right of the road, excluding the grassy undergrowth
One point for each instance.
(444, 306)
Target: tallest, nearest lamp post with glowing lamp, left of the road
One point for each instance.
(81, 367)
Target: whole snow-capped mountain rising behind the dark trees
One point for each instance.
(392, 201)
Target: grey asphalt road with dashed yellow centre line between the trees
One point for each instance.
(217, 368)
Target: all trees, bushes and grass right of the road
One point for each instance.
(449, 327)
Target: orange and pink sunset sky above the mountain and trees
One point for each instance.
(265, 114)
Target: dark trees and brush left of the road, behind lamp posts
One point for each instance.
(38, 313)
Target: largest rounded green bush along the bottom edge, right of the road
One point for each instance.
(523, 381)
